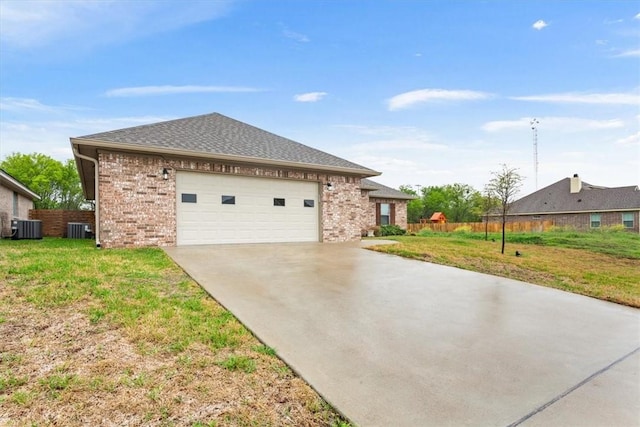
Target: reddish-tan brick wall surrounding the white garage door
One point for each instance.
(138, 207)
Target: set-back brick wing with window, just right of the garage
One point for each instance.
(386, 206)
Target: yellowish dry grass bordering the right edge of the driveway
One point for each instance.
(581, 271)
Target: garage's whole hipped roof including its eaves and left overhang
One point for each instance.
(211, 136)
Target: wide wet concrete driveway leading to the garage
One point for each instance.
(391, 341)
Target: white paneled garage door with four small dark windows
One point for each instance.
(214, 209)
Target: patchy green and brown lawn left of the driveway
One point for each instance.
(125, 337)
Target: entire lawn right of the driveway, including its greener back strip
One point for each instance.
(604, 265)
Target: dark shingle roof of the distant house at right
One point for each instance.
(557, 198)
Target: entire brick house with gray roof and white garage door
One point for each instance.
(211, 179)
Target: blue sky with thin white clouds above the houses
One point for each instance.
(426, 92)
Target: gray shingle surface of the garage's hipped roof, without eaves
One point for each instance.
(215, 134)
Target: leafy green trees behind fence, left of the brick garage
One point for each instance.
(57, 183)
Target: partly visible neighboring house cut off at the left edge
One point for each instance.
(16, 199)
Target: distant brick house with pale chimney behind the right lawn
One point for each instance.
(571, 202)
